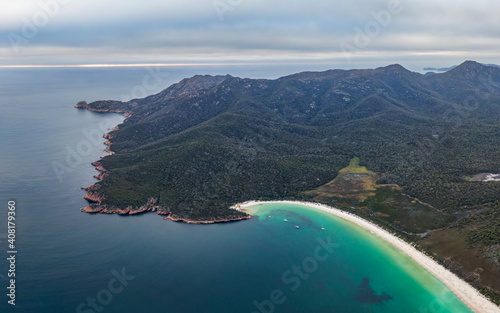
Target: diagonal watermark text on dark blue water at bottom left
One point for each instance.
(105, 296)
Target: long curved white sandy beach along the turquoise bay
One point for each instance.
(468, 294)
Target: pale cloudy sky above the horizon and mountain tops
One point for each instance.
(340, 33)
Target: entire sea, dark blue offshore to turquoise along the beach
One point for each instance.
(68, 261)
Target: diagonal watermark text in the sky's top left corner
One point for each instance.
(48, 9)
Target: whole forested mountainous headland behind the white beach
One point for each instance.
(209, 142)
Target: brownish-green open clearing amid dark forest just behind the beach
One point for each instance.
(356, 187)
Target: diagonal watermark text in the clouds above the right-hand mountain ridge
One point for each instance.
(372, 29)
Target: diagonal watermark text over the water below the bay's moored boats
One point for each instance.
(296, 275)
